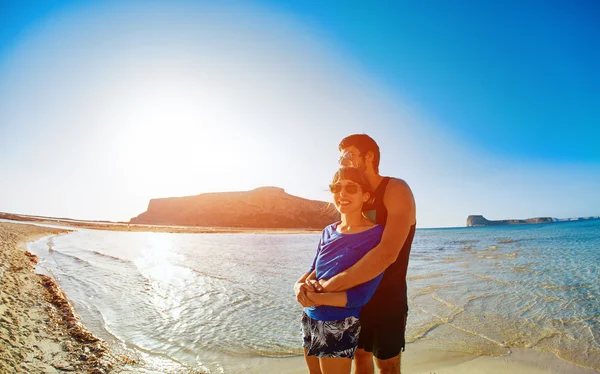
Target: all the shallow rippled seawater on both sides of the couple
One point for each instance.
(195, 299)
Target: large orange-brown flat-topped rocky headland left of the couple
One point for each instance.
(264, 207)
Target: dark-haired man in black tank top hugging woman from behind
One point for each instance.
(383, 319)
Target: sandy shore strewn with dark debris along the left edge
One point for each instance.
(39, 330)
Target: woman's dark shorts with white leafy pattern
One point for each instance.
(334, 339)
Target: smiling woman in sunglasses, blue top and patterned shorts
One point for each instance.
(330, 327)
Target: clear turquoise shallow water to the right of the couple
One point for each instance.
(489, 289)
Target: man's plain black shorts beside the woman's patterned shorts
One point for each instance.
(383, 333)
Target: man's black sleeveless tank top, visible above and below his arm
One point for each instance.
(391, 293)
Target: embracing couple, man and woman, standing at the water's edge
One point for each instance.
(354, 294)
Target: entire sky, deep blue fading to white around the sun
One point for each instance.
(484, 108)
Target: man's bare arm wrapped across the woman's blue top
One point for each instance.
(400, 205)
